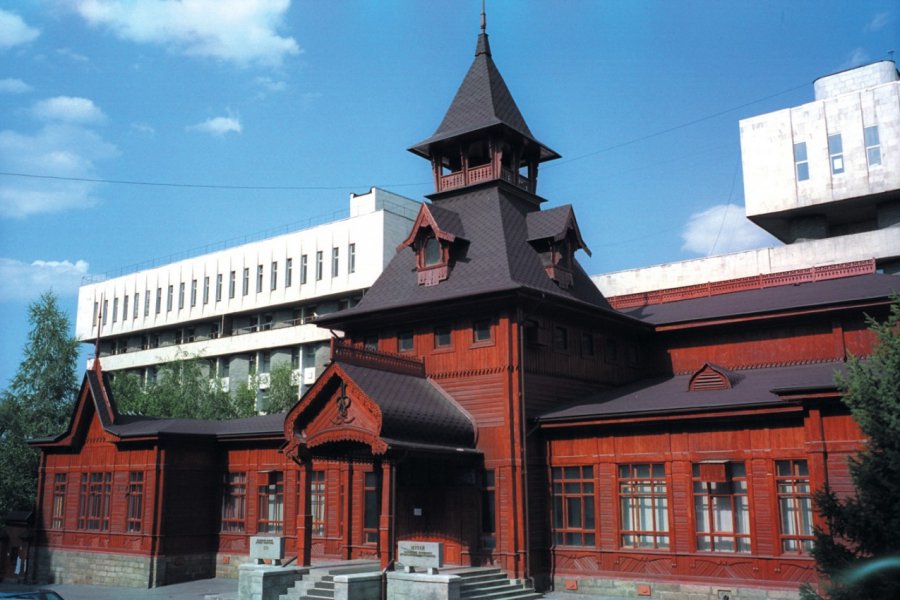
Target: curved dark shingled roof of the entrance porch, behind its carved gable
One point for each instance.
(414, 409)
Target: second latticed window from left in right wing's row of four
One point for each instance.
(643, 506)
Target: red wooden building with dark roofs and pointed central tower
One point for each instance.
(486, 395)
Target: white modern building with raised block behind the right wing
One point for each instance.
(823, 177)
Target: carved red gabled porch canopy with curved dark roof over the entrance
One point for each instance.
(372, 402)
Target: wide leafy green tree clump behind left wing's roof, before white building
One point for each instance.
(183, 389)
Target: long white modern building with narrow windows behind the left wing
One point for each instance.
(247, 308)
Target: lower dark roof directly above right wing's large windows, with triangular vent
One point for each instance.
(671, 395)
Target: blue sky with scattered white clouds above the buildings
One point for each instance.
(219, 100)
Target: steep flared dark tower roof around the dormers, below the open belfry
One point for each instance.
(496, 258)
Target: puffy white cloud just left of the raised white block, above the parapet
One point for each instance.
(723, 229)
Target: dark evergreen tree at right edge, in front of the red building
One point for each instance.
(859, 552)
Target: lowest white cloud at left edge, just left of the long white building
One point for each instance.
(26, 281)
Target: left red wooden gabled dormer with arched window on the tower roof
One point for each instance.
(432, 239)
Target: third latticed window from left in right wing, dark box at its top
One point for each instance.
(721, 509)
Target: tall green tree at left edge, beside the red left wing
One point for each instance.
(38, 402)
